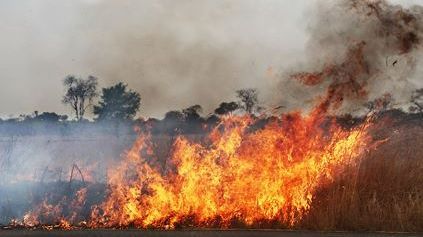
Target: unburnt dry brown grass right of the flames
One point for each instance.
(385, 193)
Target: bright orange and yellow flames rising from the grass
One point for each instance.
(235, 176)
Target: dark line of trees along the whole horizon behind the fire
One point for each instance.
(118, 103)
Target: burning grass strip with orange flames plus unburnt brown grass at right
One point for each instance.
(338, 179)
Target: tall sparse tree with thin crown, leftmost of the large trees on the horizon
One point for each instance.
(79, 93)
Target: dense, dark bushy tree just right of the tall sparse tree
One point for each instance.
(118, 103)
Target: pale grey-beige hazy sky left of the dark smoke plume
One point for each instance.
(175, 53)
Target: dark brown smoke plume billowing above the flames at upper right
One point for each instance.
(358, 51)
